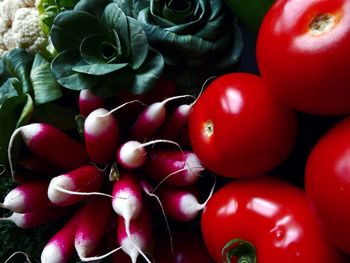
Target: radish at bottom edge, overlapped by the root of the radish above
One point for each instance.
(138, 238)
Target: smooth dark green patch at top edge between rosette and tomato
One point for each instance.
(250, 12)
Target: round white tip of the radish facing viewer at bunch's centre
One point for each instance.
(131, 155)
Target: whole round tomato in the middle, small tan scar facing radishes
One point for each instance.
(237, 129)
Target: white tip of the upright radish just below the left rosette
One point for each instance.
(98, 122)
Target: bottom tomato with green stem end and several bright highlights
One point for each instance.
(265, 218)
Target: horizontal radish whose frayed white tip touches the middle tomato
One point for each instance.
(174, 167)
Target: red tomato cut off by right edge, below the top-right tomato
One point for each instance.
(327, 183)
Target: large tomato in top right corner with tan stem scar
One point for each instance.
(303, 54)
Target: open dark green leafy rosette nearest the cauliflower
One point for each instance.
(109, 54)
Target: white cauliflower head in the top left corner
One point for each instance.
(20, 26)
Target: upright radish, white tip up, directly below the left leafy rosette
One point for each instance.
(101, 136)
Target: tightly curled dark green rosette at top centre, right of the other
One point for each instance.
(196, 38)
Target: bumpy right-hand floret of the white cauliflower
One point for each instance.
(26, 30)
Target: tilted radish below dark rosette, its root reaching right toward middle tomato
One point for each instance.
(151, 119)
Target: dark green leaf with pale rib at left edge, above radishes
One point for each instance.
(14, 112)
